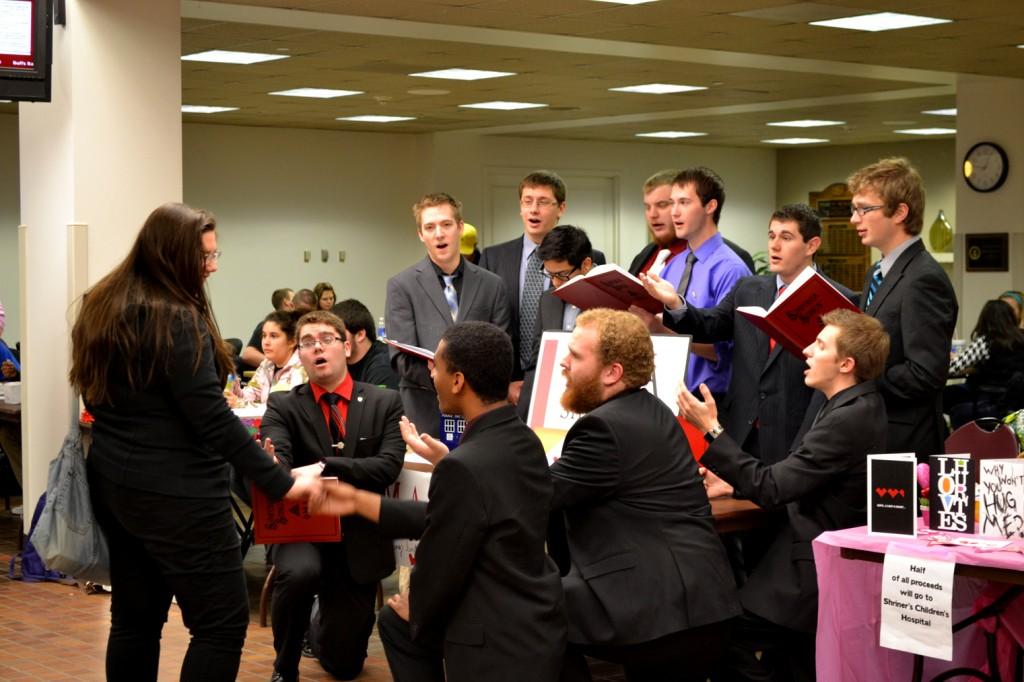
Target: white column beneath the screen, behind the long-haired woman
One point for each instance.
(94, 163)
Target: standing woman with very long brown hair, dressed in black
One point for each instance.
(150, 363)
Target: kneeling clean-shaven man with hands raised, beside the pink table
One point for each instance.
(821, 484)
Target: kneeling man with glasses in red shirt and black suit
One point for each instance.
(349, 431)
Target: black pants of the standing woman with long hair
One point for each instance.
(161, 547)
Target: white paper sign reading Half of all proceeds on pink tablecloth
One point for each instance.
(917, 607)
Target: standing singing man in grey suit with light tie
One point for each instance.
(428, 299)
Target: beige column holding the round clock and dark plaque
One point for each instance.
(989, 110)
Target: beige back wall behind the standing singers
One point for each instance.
(279, 192)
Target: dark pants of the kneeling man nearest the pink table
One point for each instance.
(787, 656)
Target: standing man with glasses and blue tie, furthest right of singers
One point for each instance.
(910, 293)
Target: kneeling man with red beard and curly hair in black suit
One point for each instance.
(650, 585)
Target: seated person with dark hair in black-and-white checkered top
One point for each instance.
(994, 364)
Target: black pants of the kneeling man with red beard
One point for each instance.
(684, 657)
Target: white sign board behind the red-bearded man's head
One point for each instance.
(671, 355)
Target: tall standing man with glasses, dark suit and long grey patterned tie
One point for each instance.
(542, 203)
